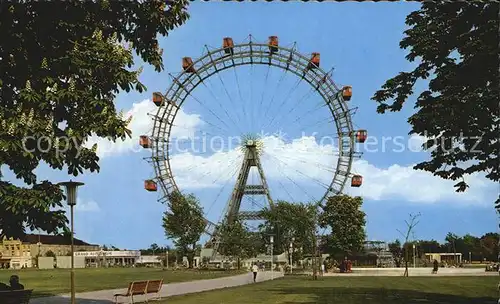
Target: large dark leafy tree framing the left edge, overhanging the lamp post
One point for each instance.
(62, 63)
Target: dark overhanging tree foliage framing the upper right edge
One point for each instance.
(456, 43)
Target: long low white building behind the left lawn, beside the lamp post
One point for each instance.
(109, 258)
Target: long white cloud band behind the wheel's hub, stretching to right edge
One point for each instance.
(308, 163)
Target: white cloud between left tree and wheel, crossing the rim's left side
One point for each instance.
(142, 124)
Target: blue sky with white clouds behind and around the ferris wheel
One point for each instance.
(361, 42)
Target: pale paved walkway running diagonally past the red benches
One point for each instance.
(106, 296)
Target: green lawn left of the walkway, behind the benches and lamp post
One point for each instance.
(57, 281)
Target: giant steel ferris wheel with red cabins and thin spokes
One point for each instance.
(247, 173)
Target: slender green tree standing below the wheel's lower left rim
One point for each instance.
(184, 223)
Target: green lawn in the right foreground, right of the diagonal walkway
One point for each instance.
(354, 290)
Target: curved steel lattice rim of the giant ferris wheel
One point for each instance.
(217, 60)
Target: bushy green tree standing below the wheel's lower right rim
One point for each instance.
(342, 214)
